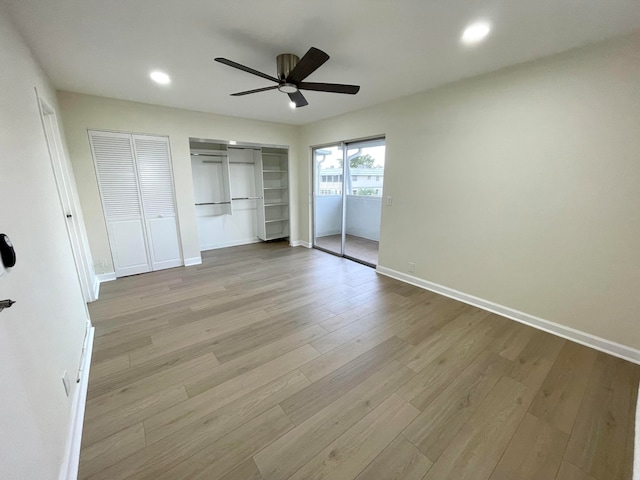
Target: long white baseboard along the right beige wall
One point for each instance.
(607, 346)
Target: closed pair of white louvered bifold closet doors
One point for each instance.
(136, 188)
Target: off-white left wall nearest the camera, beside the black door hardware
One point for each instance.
(41, 336)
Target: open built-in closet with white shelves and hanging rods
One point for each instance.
(241, 192)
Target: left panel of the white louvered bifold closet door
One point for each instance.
(117, 180)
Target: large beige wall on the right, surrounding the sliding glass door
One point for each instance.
(521, 187)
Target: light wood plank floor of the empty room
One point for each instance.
(270, 362)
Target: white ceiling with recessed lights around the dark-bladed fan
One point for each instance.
(391, 48)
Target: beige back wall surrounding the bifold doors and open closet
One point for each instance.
(82, 112)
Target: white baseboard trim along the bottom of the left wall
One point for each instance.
(69, 469)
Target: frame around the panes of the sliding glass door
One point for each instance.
(344, 145)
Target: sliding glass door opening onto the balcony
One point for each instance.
(347, 198)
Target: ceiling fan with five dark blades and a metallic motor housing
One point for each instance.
(292, 70)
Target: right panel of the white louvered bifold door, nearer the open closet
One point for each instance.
(158, 200)
